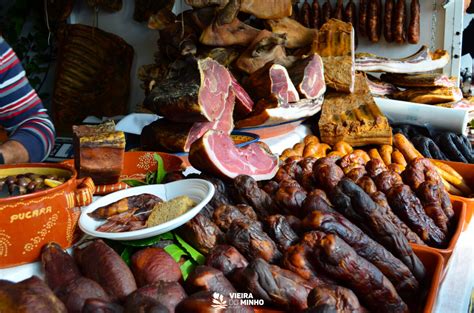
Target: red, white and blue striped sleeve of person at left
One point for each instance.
(21, 111)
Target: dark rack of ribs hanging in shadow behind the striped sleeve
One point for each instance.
(93, 76)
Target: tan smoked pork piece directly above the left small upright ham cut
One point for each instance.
(266, 47)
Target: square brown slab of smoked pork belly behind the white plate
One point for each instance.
(99, 152)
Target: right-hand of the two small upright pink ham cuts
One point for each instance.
(307, 75)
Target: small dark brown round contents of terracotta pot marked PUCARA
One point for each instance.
(22, 184)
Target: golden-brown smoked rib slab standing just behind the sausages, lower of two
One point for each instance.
(354, 118)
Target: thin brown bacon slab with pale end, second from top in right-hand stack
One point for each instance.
(419, 80)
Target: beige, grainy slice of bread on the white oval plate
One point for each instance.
(168, 210)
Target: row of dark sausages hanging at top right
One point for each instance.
(373, 17)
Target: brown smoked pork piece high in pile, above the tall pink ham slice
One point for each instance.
(234, 33)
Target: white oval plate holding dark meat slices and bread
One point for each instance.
(201, 191)
